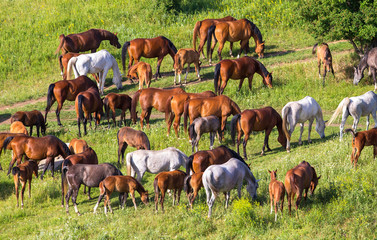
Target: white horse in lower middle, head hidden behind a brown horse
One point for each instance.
(141, 161)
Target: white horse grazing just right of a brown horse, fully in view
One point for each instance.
(300, 112)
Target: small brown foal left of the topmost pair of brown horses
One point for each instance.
(182, 57)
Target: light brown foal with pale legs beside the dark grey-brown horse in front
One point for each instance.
(123, 185)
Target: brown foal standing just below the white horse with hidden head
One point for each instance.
(168, 180)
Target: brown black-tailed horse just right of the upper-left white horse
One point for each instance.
(157, 47)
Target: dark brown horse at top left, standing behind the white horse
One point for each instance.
(86, 41)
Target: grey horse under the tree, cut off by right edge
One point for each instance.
(368, 60)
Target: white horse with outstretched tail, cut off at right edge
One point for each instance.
(357, 107)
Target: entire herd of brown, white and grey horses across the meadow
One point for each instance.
(216, 170)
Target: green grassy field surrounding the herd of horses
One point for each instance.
(343, 205)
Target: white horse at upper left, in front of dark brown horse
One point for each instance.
(98, 62)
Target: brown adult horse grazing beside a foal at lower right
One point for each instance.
(300, 179)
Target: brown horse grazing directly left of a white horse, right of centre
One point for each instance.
(263, 119)
